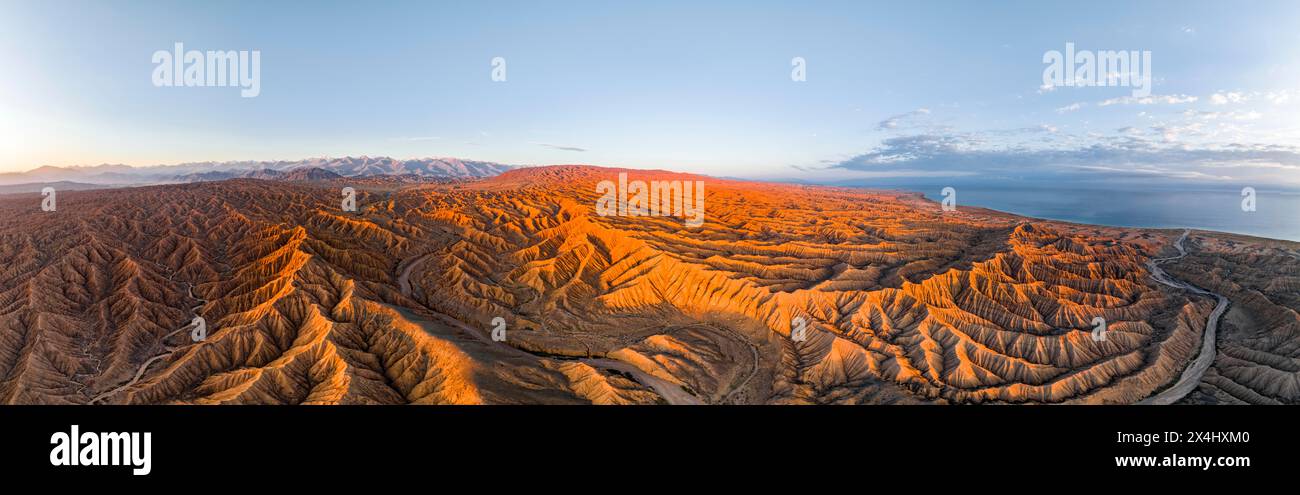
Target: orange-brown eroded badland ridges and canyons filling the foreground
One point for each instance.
(900, 302)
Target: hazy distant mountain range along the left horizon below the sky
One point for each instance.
(213, 171)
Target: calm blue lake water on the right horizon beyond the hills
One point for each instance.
(1277, 214)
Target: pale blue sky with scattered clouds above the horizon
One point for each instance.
(915, 90)
